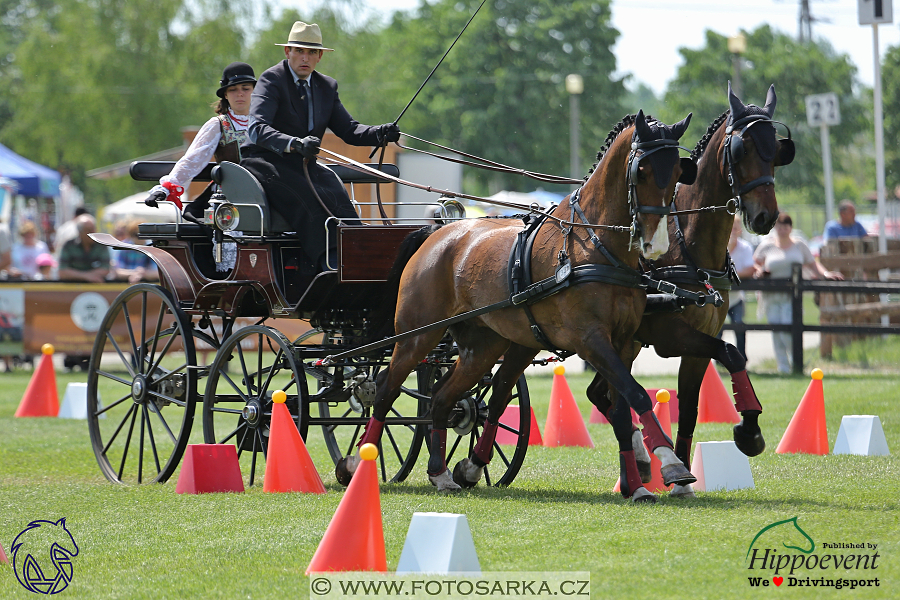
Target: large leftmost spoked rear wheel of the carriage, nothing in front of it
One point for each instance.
(141, 389)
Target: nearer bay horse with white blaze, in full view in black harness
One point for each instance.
(463, 266)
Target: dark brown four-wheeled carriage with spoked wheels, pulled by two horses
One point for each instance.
(148, 377)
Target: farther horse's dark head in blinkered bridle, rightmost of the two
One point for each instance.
(749, 152)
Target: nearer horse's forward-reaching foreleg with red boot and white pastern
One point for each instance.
(601, 354)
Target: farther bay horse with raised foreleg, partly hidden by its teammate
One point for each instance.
(736, 161)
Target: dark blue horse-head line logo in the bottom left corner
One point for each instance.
(42, 556)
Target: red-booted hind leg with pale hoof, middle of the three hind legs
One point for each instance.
(479, 349)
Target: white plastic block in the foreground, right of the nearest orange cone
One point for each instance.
(439, 544)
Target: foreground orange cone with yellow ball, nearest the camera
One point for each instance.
(354, 540)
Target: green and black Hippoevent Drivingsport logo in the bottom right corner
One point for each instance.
(782, 553)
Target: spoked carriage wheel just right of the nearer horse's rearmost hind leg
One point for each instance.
(401, 439)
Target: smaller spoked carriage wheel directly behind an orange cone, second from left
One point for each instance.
(252, 363)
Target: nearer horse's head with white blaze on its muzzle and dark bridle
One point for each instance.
(654, 168)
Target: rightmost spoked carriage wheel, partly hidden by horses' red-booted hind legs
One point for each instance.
(466, 424)
